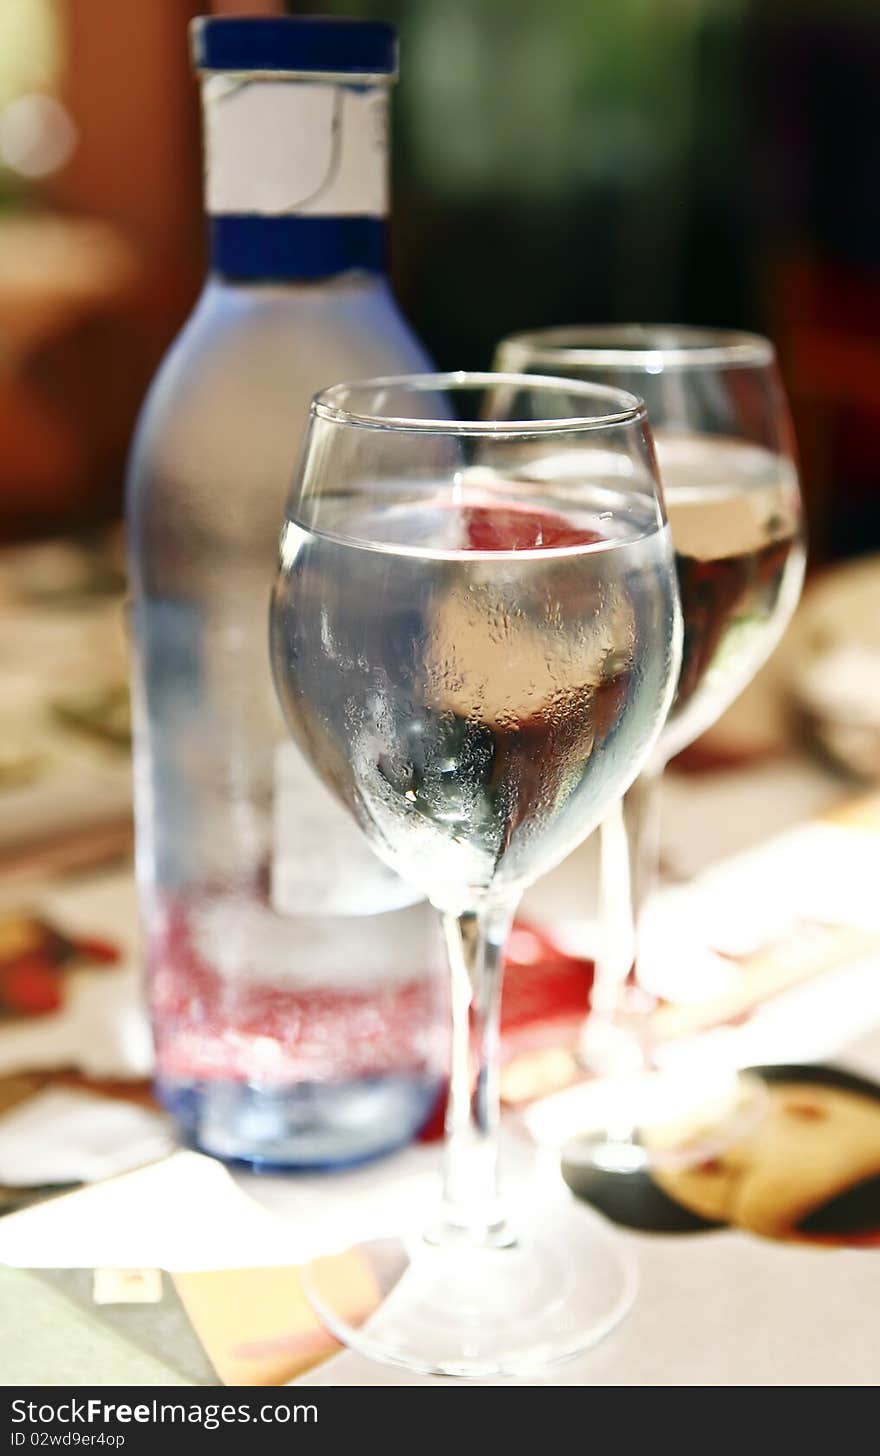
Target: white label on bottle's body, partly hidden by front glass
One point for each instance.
(321, 861)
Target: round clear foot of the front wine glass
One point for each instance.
(479, 1313)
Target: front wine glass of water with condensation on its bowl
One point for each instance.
(476, 640)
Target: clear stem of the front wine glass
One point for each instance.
(471, 1195)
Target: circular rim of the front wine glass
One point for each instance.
(330, 405)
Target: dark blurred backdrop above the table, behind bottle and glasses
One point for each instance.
(664, 161)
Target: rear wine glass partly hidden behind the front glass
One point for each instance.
(728, 461)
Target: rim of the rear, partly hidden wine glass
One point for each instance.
(637, 346)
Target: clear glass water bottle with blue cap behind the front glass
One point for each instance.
(291, 975)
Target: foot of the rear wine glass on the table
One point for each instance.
(662, 1126)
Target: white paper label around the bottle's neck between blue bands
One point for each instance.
(282, 148)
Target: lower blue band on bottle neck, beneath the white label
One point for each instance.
(275, 248)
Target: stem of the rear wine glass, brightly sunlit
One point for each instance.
(617, 1036)
